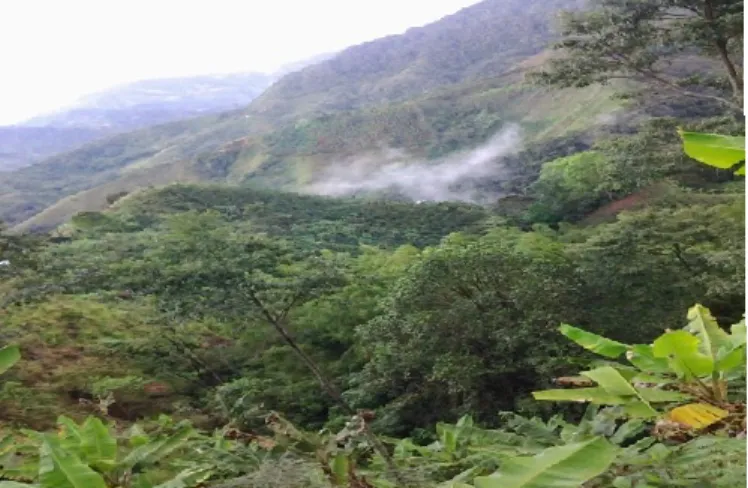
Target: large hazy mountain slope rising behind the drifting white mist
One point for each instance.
(448, 86)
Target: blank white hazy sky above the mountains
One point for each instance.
(54, 51)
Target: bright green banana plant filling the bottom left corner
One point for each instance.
(88, 455)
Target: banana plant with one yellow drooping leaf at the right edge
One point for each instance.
(694, 365)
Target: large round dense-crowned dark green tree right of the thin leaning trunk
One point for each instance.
(460, 329)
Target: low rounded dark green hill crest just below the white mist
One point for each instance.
(332, 223)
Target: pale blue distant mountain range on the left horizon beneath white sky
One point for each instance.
(132, 106)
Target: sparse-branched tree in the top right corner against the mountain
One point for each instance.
(653, 42)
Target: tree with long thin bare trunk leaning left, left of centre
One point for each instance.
(207, 268)
